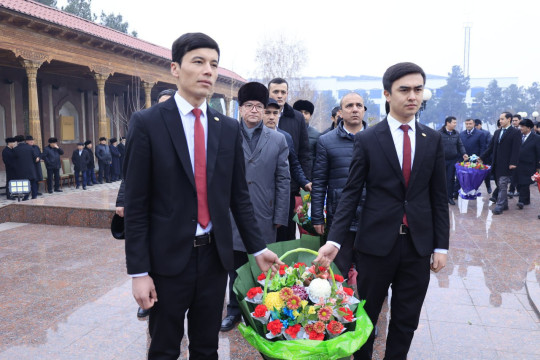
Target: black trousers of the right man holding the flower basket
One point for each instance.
(408, 274)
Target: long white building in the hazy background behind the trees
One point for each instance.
(372, 86)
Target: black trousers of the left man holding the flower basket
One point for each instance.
(199, 288)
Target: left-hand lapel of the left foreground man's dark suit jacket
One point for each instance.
(173, 122)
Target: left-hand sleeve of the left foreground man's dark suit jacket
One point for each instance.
(138, 170)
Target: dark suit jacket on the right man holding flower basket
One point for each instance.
(375, 163)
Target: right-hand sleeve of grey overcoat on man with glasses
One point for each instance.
(282, 183)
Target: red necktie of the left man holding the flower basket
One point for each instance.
(203, 217)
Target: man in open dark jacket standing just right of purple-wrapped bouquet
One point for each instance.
(504, 150)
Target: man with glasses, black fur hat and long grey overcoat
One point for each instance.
(268, 178)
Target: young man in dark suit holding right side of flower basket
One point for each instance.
(405, 219)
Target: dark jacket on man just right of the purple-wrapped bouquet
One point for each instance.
(504, 152)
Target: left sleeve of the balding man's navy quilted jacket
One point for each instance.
(320, 184)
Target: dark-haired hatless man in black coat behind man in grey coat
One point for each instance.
(293, 122)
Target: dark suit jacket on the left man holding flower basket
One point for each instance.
(160, 193)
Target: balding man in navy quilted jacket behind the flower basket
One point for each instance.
(331, 170)
